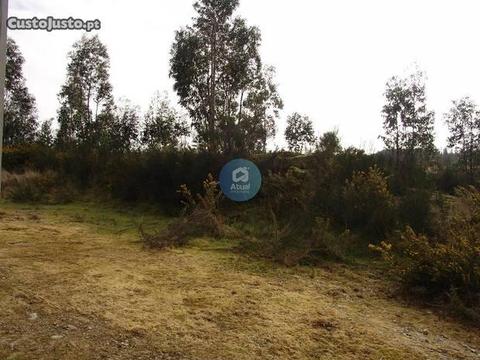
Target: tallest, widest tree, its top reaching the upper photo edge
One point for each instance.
(220, 80)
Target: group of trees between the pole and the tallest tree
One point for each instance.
(87, 117)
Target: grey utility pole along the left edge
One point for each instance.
(3, 60)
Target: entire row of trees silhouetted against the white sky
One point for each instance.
(230, 105)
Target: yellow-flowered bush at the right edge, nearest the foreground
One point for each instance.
(447, 264)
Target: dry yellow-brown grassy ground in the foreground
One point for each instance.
(75, 283)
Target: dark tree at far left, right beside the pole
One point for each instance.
(20, 110)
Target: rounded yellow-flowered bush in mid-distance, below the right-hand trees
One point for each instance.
(368, 204)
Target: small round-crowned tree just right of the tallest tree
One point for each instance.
(299, 132)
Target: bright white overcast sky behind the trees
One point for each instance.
(332, 57)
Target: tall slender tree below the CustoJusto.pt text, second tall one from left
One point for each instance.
(86, 101)
